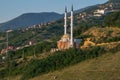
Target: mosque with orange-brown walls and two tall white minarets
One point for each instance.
(67, 40)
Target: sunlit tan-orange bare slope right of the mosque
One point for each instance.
(100, 35)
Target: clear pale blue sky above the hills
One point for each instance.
(10, 9)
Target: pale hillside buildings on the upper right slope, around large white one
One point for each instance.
(102, 10)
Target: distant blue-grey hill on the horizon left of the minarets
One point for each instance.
(29, 19)
